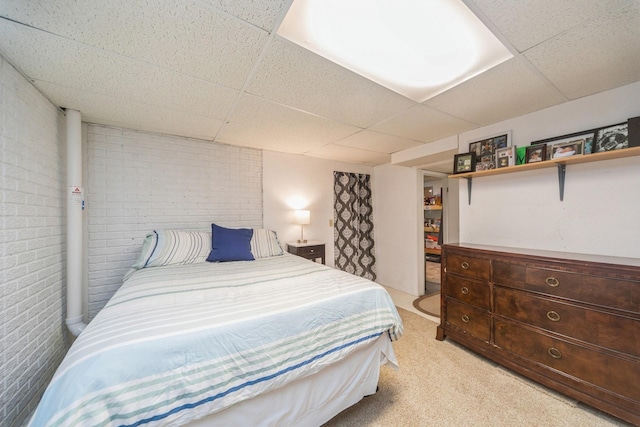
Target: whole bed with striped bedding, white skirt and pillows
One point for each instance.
(272, 340)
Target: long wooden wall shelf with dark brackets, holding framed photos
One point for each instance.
(560, 164)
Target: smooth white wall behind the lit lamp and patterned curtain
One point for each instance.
(289, 177)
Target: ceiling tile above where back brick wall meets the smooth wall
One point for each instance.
(249, 136)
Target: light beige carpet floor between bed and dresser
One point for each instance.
(443, 384)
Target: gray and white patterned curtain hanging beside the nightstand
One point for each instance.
(353, 218)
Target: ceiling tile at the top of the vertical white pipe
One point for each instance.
(106, 110)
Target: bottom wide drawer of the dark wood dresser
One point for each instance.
(617, 374)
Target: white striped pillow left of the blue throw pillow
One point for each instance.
(165, 247)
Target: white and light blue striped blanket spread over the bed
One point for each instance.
(179, 342)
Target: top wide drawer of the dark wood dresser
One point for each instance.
(597, 290)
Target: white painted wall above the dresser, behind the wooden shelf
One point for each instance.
(601, 201)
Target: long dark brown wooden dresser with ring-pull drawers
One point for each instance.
(568, 321)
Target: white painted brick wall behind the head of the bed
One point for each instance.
(139, 181)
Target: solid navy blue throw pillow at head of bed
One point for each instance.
(230, 244)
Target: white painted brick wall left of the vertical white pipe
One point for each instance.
(33, 336)
